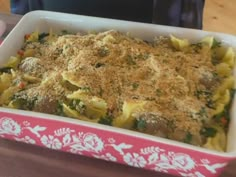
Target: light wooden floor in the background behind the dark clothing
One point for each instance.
(218, 15)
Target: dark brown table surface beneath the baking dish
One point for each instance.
(24, 160)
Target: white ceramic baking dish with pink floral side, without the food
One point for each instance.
(100, 141)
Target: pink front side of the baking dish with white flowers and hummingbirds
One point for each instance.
(110, 146)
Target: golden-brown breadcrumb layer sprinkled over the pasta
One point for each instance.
(117, 67)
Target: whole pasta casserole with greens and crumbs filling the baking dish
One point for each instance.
(167, 88)
